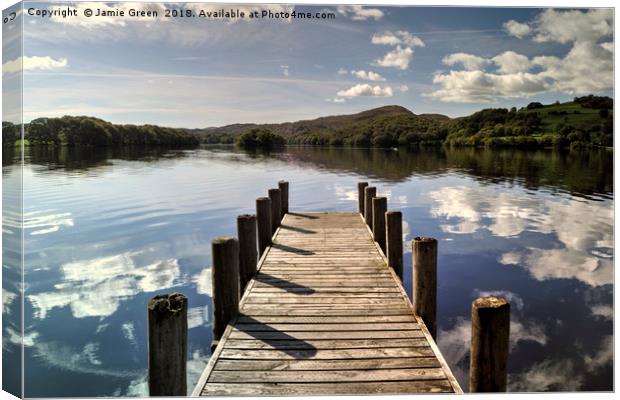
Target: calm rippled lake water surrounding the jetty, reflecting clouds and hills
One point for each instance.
(107, 230)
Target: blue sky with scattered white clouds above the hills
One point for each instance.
(200, 72)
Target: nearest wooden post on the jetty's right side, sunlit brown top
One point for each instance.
(490, 332)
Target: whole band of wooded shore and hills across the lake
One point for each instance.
(584, 122)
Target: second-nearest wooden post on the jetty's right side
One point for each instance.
(425, 281)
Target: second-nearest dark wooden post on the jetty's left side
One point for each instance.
(225, 271)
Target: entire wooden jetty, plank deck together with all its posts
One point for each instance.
(322, 311)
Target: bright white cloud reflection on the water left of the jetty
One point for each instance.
(95, 288)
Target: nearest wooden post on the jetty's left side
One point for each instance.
(167, 345)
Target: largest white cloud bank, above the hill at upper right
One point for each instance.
(586, 68)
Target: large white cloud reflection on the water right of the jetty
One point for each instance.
(584, 229)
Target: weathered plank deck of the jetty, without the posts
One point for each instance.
(325, 314)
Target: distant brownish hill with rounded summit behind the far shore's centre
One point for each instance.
(383, 126)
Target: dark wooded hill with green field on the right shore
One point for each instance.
(585, 121)
